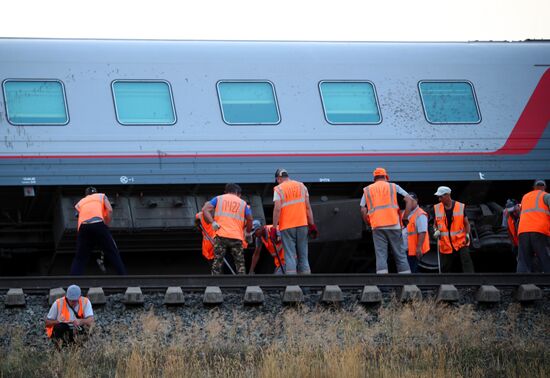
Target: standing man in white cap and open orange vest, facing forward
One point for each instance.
(453, 231)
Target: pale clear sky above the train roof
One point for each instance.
(336, 20)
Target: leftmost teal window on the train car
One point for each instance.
(35, 102)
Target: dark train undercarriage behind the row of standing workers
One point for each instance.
(153, 227)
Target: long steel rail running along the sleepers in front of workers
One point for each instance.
(195, 282)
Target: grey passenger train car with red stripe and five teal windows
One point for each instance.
(160, 125)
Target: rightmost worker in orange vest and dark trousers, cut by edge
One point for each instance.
(534, 229)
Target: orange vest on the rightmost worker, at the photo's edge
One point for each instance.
(535, 214)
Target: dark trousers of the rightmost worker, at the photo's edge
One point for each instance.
(533, 245)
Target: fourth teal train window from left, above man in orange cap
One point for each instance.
(350, 102)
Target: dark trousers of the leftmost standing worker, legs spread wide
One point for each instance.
(90, 236)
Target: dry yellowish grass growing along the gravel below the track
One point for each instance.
(415, 340)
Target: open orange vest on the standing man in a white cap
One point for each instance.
(457, 235)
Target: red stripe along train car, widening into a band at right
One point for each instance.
(523, 138)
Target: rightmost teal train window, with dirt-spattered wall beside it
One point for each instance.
(449, 102)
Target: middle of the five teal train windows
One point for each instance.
(248, 103)
